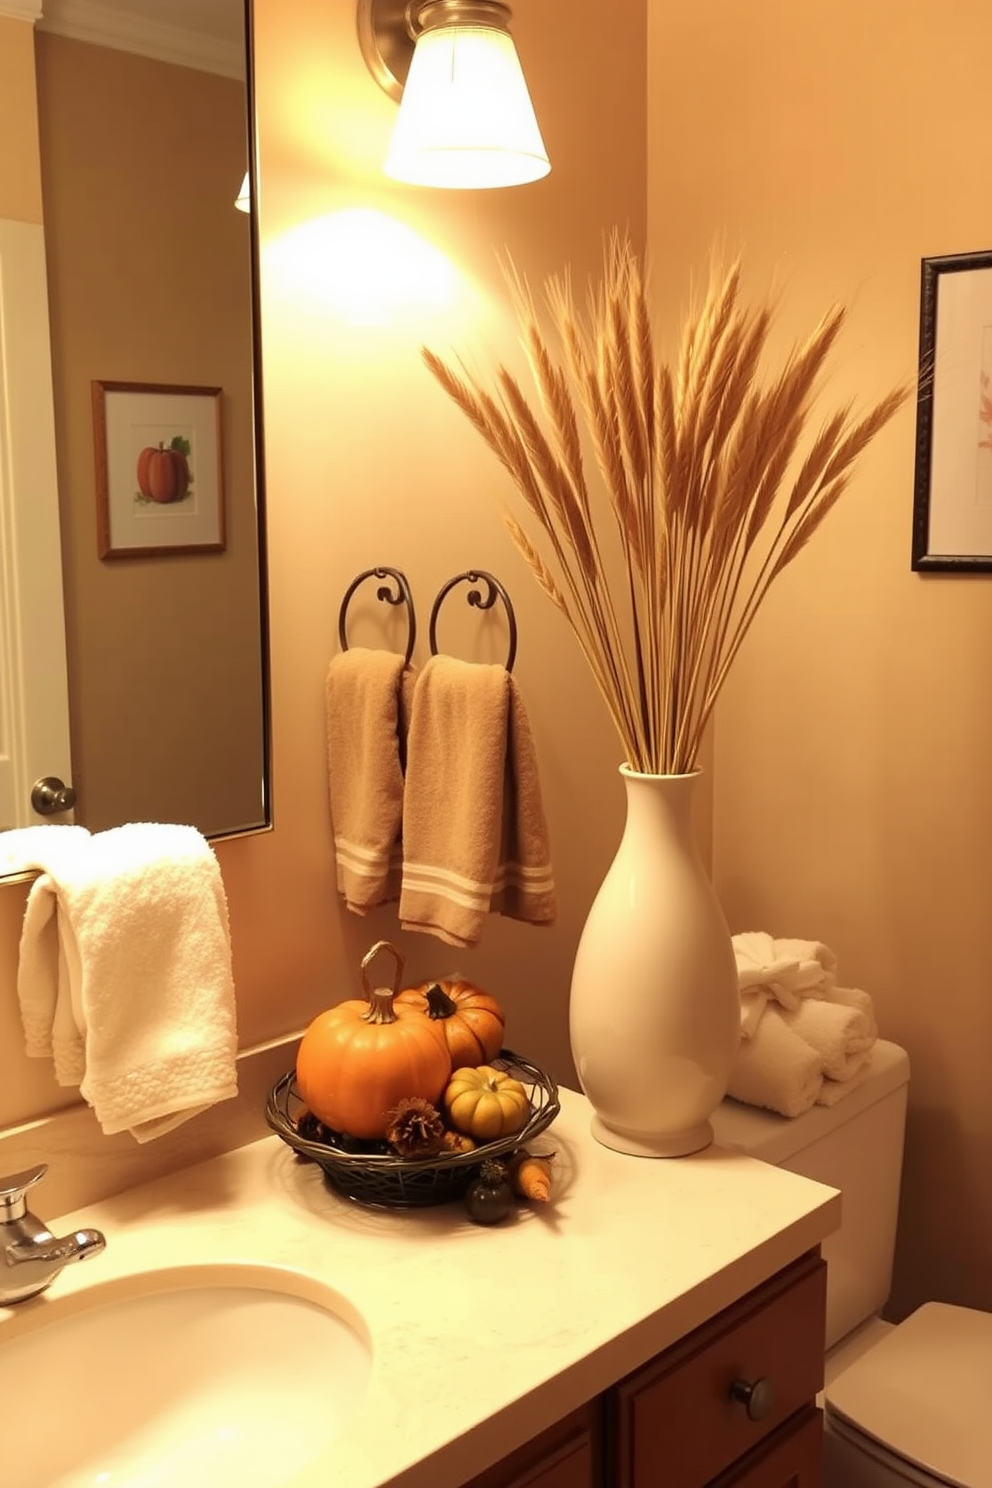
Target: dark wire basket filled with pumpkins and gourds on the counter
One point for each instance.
(407, 1097)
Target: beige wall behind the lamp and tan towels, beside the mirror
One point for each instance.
(368, 464)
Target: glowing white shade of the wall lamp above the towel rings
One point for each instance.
(466, 118)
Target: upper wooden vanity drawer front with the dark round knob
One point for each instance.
(677, 1423)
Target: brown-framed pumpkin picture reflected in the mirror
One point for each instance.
(160, 469)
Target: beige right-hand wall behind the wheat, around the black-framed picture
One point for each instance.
(840, 145)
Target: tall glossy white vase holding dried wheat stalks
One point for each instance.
(707, 486)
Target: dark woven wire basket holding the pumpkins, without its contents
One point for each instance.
(386, 1181)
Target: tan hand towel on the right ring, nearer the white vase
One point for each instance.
(475, 837)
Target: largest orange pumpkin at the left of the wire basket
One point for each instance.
(361, 1059)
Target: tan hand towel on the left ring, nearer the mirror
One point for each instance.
(367, 699)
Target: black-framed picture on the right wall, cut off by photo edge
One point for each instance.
(953, 495)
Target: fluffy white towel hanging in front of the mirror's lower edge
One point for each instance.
(126, 977)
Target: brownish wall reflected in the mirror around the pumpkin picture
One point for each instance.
(149, 282)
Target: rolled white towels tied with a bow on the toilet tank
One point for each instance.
(804, 1039)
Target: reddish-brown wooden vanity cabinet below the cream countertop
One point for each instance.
(729, 1407)
